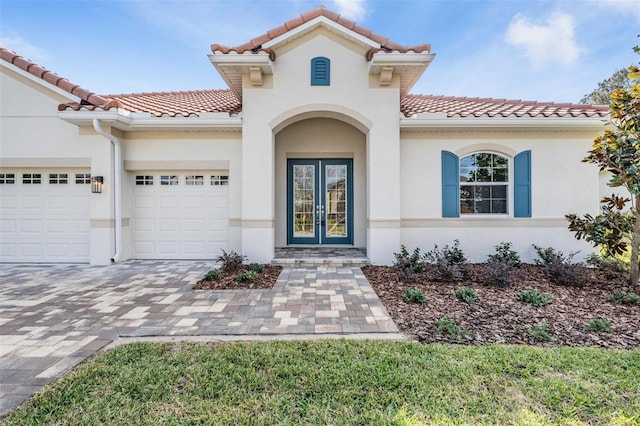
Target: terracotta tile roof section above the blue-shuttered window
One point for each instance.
(489, 107)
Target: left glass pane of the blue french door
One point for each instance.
(303, 200)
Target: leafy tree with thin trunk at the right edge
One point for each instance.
(618, 152)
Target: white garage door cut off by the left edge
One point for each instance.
(44, 215)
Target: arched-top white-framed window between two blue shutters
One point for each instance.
(484, 184)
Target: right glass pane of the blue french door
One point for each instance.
(336, 200)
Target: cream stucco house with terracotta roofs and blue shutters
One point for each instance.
(316, 141)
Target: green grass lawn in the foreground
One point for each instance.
(343, 382)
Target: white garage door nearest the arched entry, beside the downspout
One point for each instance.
(180, 215)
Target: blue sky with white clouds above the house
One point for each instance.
(544, 50)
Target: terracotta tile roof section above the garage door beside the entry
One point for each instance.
(170, 104)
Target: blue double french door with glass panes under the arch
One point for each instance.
(320, 201)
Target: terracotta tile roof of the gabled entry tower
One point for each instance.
(255, 45)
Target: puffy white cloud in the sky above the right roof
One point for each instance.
(552, 42)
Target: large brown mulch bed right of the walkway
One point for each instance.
(498, 317)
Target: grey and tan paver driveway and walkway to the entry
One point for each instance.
(52, 317)
